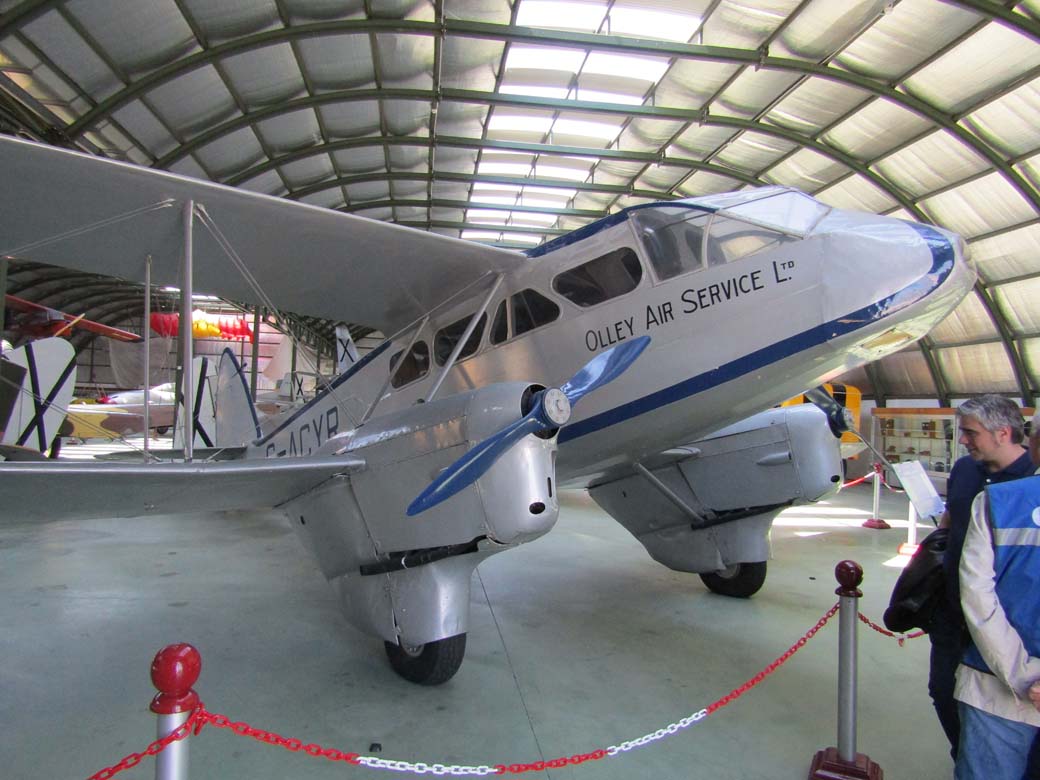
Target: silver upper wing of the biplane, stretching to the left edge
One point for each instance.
(306, 259)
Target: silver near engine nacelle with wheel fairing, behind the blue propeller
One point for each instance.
(407, 579)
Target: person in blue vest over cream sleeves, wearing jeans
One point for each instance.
(1000, 583)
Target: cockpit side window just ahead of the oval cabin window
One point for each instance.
(672, 238)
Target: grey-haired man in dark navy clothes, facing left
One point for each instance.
(992, 430)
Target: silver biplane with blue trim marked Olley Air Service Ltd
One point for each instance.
(633, 357)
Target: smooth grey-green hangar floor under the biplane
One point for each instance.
(578, 641)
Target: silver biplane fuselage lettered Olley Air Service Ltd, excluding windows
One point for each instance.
(727, 341)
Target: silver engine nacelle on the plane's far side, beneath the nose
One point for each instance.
(733, 484)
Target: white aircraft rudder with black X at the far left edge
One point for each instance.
(37, 383)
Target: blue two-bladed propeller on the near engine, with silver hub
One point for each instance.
(553, 409)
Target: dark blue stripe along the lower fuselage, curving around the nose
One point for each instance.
(943, 265)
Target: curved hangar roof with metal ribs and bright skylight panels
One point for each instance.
(515, 122)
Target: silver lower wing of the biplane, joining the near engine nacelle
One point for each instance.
(56, 490)
